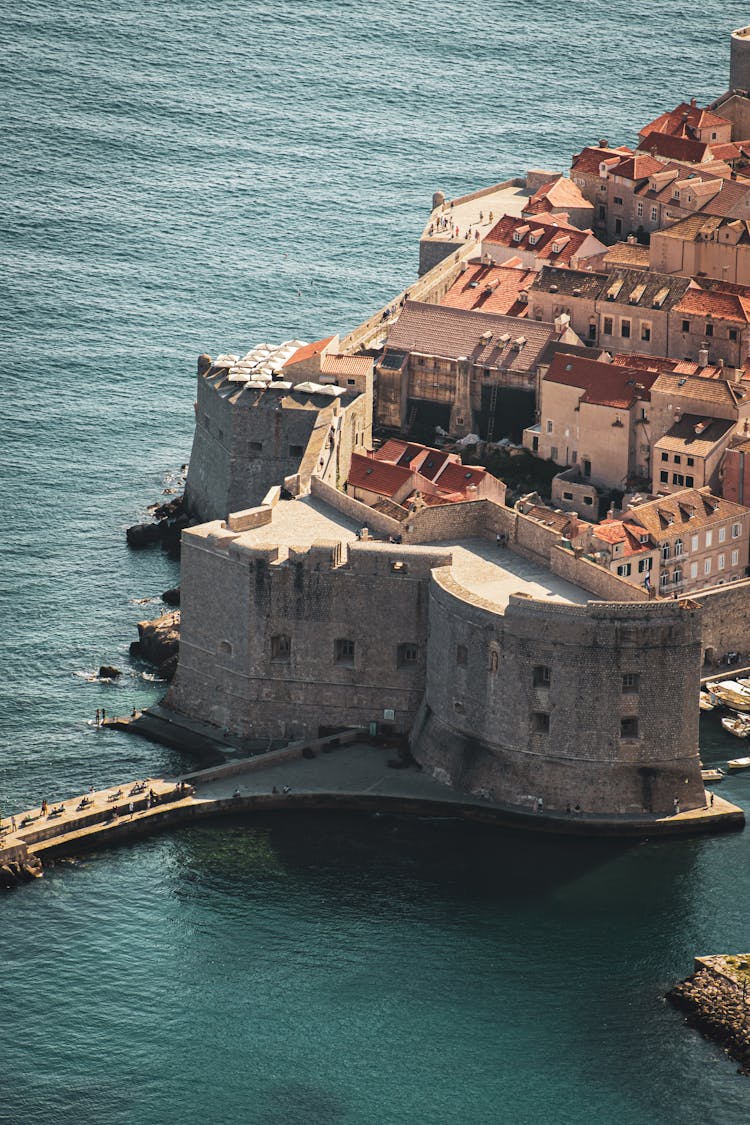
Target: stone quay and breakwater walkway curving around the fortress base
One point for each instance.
(345, 772)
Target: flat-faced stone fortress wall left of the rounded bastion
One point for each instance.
(237, 606)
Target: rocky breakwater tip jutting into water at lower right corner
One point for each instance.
(717, 1002)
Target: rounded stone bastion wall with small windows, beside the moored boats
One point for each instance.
(481, 726)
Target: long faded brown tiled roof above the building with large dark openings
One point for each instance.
(450, 334)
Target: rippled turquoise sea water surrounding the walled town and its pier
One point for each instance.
(179, 178)
